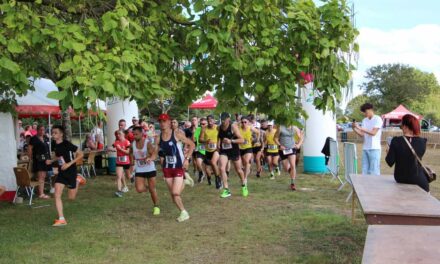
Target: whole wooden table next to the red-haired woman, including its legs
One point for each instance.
(385, 202)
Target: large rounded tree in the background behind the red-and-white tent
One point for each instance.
(390, 85)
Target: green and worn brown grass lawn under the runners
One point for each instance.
(272, 225)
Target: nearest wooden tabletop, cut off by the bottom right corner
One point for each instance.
(391, 244)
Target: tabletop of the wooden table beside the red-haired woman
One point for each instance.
(381, 195)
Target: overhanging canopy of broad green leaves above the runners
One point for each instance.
(247, 52)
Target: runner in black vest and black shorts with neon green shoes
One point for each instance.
(229, 138)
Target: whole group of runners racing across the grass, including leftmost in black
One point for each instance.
(210, 146)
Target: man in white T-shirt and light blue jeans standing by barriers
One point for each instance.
(371, 131)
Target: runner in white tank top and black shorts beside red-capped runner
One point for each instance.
(144, 156)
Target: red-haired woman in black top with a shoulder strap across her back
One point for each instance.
(407, 169)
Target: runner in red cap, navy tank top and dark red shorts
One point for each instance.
(174, 162)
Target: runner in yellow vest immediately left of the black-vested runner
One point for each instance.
(209, 138)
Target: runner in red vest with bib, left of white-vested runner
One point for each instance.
(122, 148)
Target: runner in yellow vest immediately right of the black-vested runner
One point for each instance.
(246, 149)
